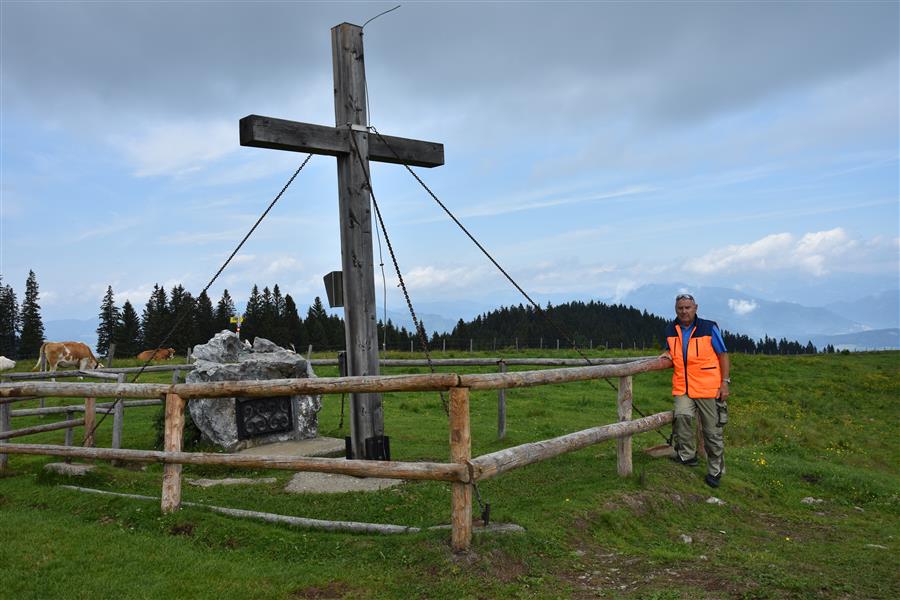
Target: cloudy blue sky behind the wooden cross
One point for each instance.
(591, 147)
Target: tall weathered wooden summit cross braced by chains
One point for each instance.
(357, 259)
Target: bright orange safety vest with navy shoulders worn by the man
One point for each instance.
(700, 376)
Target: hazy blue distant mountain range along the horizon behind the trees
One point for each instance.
(871, 322)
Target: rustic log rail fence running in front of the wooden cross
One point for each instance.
(462, 471)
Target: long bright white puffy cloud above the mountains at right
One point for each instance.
(816, 253)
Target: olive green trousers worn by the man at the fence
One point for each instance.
(686, 412)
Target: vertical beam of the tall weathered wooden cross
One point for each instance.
(357, 257)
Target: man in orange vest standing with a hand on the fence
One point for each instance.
(700, 381)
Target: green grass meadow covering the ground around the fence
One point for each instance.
(821, 426)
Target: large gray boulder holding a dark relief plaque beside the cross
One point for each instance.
(226, 358)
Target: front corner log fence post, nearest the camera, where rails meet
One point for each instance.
(460, 452)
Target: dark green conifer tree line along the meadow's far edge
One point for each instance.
(176, 319)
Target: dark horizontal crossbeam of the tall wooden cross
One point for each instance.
(280, 134)
